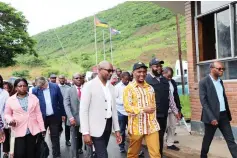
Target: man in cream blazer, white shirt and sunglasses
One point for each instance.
(98, 113)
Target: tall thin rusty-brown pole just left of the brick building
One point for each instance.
(180, 53)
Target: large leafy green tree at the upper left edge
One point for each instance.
(14, 38)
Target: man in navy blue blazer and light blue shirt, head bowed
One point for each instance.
(51, 105)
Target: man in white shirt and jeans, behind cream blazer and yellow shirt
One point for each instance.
(122, 114)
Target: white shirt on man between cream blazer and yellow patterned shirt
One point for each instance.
(119, 88)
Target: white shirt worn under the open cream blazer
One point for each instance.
(108, 98)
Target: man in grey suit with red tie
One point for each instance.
(72, 105)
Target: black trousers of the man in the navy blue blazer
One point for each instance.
(53, 123)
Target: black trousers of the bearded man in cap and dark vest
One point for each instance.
(163, 124)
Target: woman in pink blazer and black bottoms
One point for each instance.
(23, 113)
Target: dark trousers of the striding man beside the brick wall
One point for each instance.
(225, 128)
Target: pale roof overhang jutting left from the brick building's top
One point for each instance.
(175, 6)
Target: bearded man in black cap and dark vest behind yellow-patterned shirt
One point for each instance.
(164, 99)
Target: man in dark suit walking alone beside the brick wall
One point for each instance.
(215, 111)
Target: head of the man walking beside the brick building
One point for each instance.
(217, 68)
